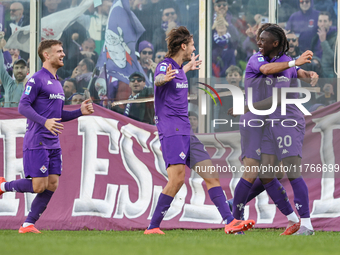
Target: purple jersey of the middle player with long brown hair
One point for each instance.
(171, 102)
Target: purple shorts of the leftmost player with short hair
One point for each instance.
(42, 162)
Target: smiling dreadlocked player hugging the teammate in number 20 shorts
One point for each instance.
(270, 60)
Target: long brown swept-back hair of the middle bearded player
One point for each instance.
(175, 39)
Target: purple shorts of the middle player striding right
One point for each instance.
(183, 149)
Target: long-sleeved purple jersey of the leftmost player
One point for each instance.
(43, 99)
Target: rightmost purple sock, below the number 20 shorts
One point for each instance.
(301, 199)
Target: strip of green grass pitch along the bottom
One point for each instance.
(174, 242)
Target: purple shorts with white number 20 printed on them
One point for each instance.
(283, 141)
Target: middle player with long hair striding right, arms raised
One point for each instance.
(180, 146)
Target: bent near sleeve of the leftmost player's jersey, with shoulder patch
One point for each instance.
(32, 89)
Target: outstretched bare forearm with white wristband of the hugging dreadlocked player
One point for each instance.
(276, 67)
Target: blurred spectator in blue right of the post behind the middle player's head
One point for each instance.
(223, 51)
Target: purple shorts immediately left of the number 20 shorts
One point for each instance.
(251, 137)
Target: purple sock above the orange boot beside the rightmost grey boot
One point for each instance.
(279, 195)
